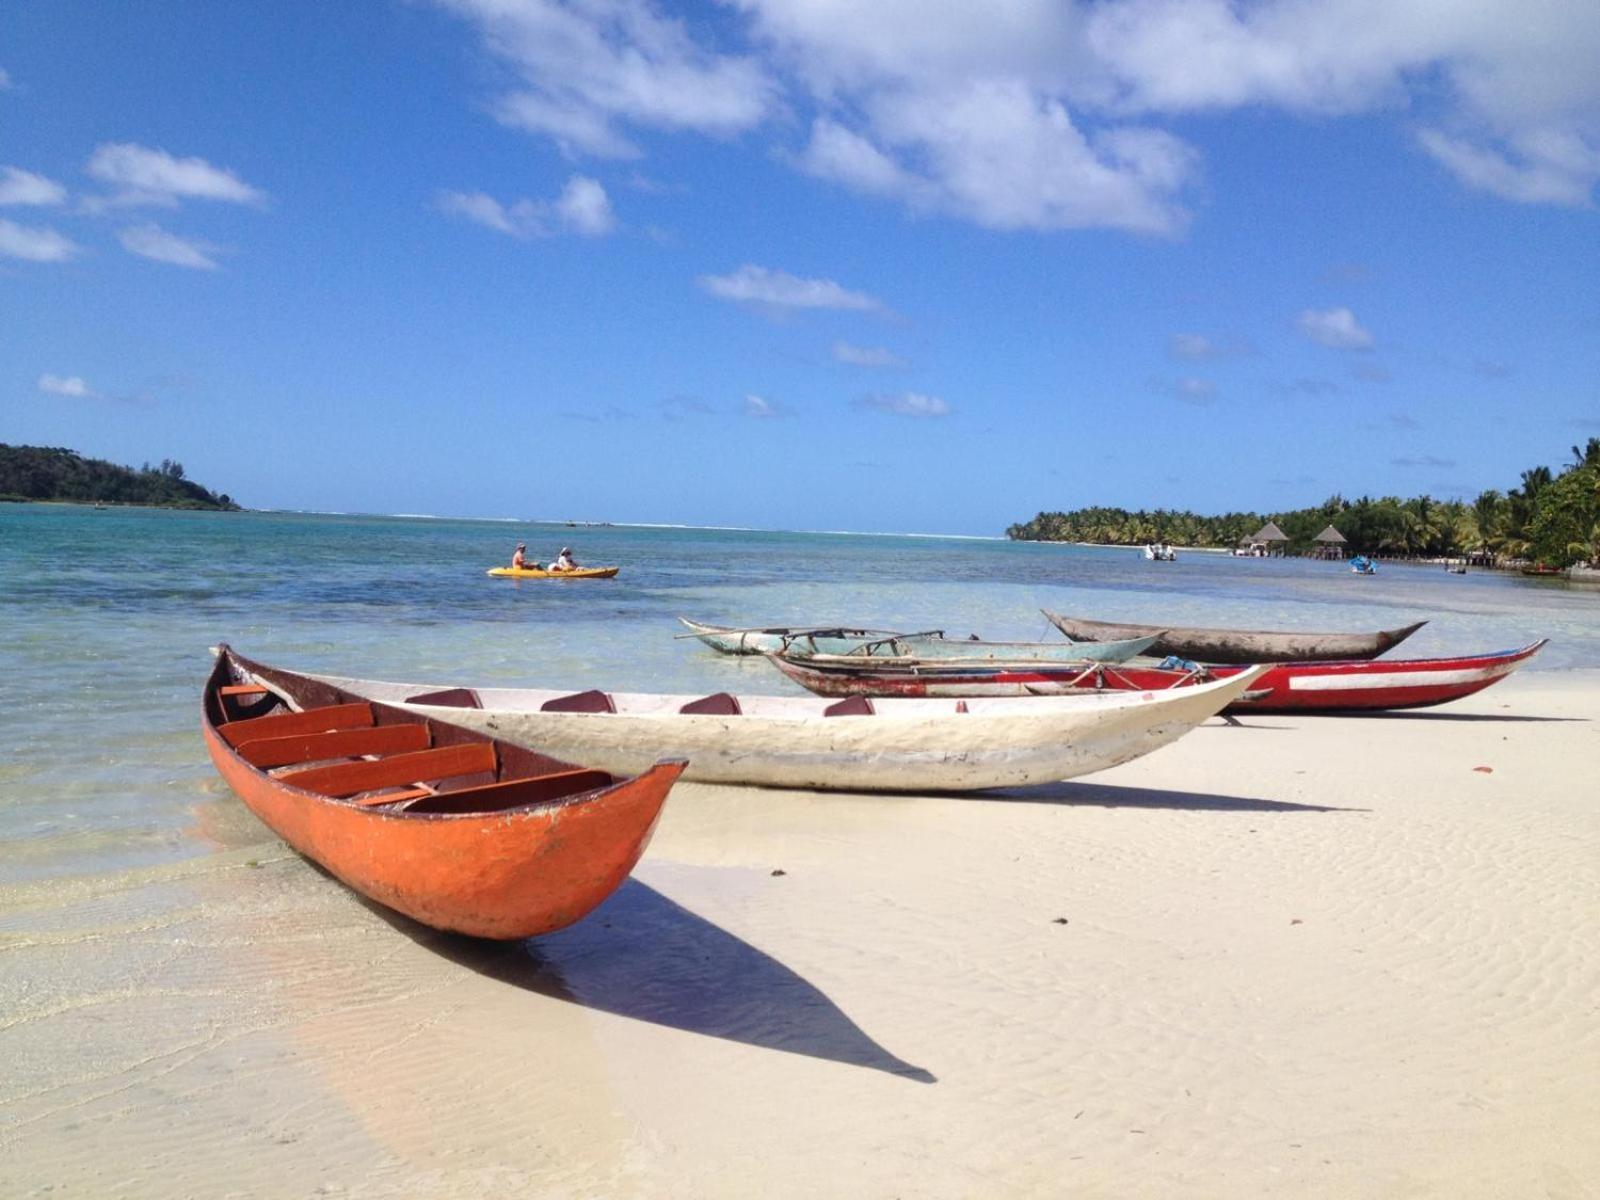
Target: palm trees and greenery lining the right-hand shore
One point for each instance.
(1551, 519)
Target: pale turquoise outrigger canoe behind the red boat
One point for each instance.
(804, 644)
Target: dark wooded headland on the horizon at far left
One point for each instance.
(65, 476)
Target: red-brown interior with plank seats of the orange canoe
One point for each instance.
(314, 737)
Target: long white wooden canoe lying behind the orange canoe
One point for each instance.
(799, 742)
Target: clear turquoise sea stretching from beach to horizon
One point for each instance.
(106, 618)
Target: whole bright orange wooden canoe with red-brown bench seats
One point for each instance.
(446, 825)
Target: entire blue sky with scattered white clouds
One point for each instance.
(799, 263)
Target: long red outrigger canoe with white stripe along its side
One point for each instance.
(1359, 686)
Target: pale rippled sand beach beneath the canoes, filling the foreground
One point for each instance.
(1295, 958)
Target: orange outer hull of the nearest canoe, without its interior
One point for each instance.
(505, 874)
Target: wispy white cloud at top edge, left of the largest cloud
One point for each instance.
(591, 68)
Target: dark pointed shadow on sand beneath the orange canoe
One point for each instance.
(650, 959)
